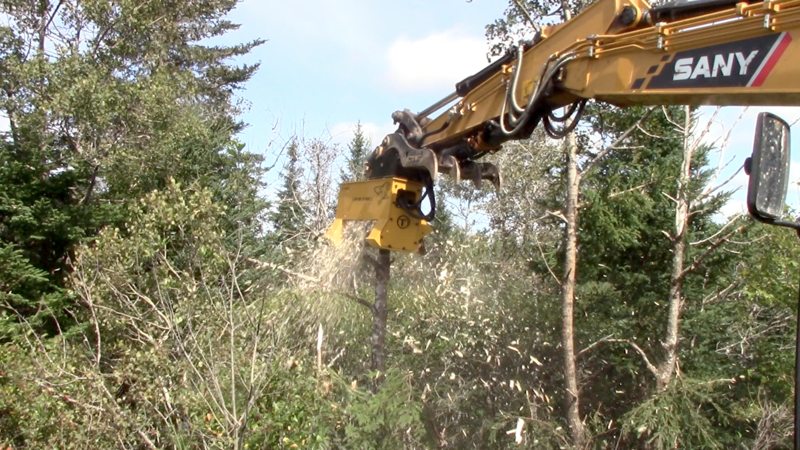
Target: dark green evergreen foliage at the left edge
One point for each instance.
(41, 220)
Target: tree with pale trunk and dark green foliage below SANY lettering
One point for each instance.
(637, 223)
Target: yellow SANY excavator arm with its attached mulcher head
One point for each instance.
(623, 52)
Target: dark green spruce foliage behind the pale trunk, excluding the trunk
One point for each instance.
(623, 275)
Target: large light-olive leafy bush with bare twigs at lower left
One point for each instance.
(170, 347)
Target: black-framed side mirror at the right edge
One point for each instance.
(768, 168)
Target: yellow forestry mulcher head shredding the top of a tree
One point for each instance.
(392, 203)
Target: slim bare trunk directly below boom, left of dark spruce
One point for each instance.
(572, 398)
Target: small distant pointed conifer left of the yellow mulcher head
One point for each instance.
(289, 217)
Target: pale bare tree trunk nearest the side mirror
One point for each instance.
(667, 367)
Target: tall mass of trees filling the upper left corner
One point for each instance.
(112, 102)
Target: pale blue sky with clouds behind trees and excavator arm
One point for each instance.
(328, 65)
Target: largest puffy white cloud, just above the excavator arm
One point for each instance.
(435, 62)
